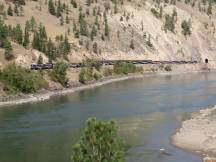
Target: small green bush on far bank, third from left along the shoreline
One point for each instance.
(85, 75)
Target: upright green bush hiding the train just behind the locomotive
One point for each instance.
(58, 74)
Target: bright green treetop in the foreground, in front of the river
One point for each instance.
(99, 142)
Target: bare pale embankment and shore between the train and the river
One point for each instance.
(148, 70)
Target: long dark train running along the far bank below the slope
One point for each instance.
(111, 62)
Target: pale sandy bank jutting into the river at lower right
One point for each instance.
(198, 134)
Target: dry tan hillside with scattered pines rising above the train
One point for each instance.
(137, 29)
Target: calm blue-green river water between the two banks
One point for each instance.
(147, 110)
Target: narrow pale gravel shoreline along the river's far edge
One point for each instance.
(39, 97)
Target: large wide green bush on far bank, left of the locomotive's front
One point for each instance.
(18, 79)
